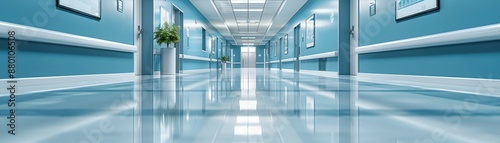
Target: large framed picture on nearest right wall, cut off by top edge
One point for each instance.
(409, 8)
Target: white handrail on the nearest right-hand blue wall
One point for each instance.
(477, 34)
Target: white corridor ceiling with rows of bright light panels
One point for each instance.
(248, 21)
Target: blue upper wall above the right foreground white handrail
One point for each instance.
(452, 16)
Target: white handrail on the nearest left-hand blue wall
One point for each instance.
(29, 33)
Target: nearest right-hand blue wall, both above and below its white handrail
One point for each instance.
(472, 60)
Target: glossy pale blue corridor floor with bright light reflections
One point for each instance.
(253, 105)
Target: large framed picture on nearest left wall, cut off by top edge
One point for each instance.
(91, 8)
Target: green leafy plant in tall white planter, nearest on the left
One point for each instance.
(167, 34)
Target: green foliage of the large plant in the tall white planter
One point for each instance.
(167, 34)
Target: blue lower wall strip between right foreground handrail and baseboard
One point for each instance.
(473, 60)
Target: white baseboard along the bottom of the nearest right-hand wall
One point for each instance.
(488, 87)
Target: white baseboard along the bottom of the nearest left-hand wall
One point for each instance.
(43, 84)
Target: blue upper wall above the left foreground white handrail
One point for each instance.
(113, 25)
